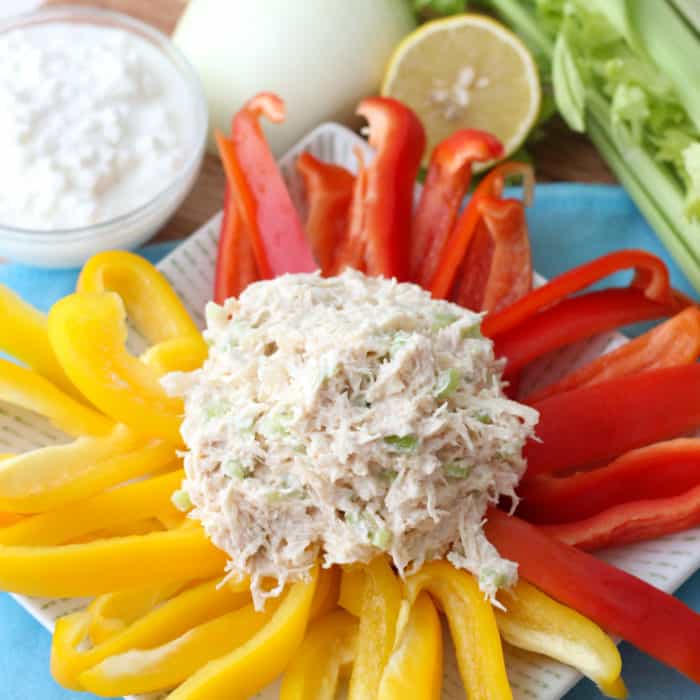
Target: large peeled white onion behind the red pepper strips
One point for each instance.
(321, 56)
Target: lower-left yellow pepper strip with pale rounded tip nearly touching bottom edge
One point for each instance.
(145, 671)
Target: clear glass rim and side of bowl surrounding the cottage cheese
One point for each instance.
(72, 247)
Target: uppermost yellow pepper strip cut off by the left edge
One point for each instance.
(24, 336)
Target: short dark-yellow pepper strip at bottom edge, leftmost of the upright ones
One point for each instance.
(327, 651)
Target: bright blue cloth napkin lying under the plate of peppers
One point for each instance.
(569, 224)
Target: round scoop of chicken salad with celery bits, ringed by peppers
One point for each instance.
(339, 418)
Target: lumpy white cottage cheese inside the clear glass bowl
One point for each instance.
(91, 125)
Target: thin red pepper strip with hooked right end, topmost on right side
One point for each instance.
(651, 277)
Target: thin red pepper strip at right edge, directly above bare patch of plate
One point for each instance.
(636, 521)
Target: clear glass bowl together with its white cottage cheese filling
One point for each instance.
(103, 128)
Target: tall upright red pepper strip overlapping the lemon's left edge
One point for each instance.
(382, 204)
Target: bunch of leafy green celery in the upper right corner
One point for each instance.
(622, 70)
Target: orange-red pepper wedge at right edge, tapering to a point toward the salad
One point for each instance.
(675, 342)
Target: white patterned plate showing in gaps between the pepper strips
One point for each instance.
(664, 563)
